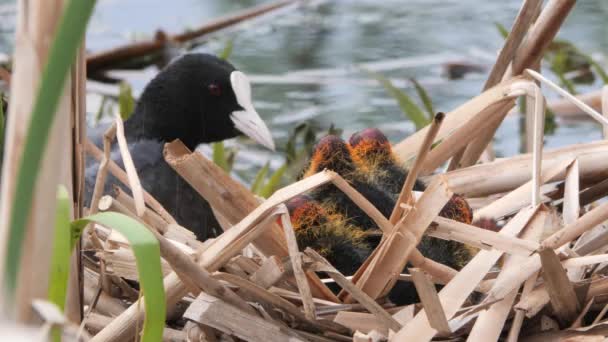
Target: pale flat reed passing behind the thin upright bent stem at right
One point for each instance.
(520, 197)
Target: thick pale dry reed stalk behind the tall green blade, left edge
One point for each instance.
(36, 24)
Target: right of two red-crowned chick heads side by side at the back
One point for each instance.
(370, 146)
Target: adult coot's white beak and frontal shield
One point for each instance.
(247, 120)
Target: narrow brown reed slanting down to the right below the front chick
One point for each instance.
(321, 265)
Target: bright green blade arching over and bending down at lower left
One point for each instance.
(147, 257)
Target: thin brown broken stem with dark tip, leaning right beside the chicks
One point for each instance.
(425, 147)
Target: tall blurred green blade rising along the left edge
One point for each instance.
(62, 53)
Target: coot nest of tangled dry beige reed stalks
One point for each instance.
(541, 276)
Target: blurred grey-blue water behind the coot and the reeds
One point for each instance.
(338, 34)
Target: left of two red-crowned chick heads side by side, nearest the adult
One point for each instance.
(331, 152)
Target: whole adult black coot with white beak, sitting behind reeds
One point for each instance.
(198, 98)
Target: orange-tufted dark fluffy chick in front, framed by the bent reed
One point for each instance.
(328, 233)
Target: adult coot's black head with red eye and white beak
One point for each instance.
(198, 98)
